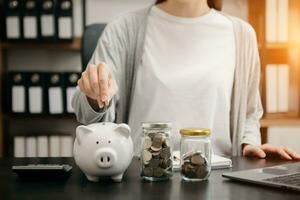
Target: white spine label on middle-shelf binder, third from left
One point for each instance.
(55, 100)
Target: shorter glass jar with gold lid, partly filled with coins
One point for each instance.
(195, 154)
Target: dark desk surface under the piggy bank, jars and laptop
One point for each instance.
(133, 187)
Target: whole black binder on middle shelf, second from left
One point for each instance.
(35, 93)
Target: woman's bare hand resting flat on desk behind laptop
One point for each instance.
(266, 149)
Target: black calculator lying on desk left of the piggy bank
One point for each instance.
(43, 171)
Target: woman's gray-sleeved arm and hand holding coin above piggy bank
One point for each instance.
(97, 98)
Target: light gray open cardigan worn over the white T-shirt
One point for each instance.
(121, 47)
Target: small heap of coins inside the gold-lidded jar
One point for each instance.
(194, 165)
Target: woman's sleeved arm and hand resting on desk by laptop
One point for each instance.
(252, 138)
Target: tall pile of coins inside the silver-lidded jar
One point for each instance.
(156, 156)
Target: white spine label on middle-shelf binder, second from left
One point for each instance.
(35, 99)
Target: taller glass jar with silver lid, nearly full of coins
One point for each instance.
(156, 153)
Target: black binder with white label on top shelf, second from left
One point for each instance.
(30, 20)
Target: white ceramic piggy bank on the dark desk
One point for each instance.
(103, 150)
